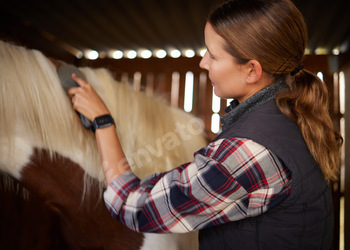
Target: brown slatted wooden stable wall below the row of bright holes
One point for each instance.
(155, 77)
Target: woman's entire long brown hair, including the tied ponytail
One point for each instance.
(273, 32)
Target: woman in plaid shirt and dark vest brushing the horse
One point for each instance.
(263, 183)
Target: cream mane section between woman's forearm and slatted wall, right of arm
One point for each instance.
(147, 126)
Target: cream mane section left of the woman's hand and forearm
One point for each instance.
(38, 112)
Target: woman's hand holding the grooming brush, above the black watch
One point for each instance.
(85, 100)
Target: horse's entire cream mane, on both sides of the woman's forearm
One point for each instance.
(36, 112)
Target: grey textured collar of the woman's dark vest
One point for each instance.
(236, 110)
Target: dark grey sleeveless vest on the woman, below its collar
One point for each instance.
(304, 220)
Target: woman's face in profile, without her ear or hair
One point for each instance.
(227, 76)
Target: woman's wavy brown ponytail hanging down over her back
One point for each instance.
(306, 103)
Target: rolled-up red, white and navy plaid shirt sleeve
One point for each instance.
(229, 180)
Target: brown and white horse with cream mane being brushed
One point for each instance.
(45, 151)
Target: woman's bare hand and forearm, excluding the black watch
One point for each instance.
(87, 102)
